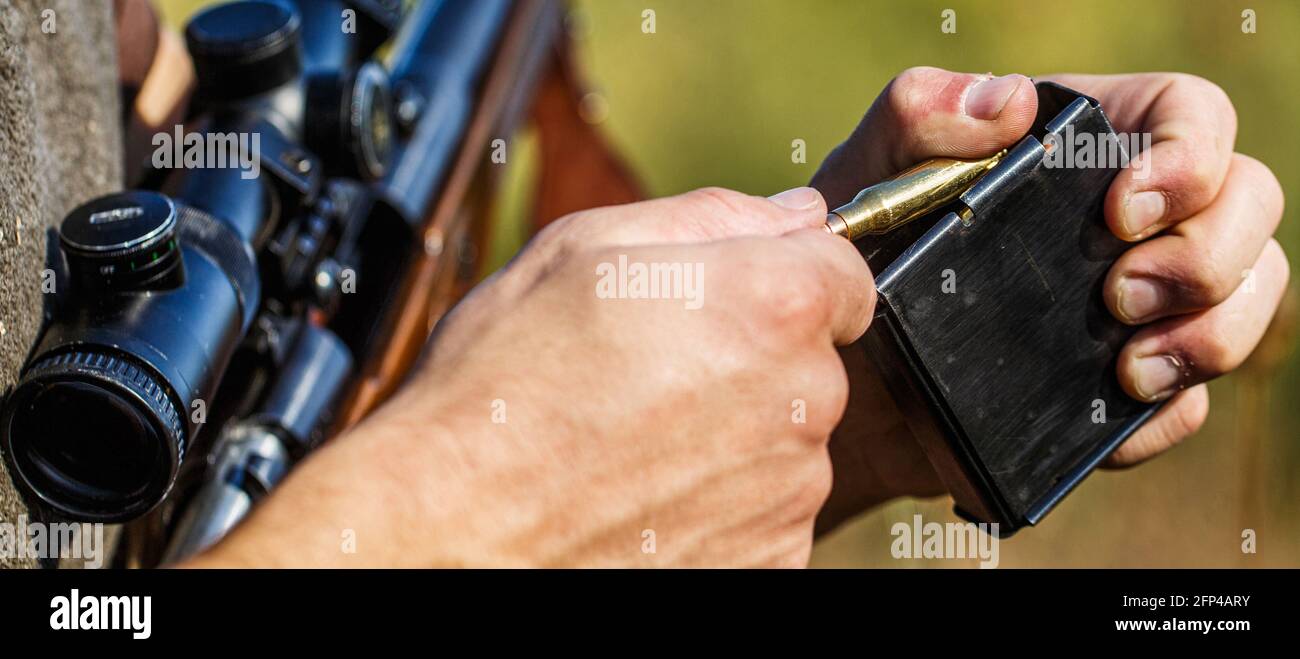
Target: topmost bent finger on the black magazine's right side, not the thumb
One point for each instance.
(1193, 129)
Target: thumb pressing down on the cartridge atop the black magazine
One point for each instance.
(925, 114)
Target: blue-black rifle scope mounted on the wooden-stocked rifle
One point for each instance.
(157, 293)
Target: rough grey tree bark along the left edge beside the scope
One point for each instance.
(60, 145)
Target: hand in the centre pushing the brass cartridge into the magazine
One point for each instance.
(552, 426)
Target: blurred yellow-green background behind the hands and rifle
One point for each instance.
(717, 96)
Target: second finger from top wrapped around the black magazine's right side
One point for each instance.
(1199, 262)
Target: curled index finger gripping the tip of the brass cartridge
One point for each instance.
(842, 279)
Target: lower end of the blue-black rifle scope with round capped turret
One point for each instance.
(159, 300)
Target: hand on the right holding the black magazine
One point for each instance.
(1211, 213)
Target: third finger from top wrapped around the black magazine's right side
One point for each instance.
(1178, 353)
